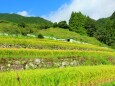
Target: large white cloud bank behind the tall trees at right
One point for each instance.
(94, 8)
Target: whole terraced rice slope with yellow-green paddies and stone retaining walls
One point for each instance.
(46, 62)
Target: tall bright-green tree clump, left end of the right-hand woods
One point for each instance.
(77, 22)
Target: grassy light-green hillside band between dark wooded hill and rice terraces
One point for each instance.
(34, 29)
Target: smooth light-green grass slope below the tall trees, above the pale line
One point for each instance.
(65, 33)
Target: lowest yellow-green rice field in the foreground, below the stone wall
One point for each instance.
(70, 76)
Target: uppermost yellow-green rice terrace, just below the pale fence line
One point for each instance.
(34, 43)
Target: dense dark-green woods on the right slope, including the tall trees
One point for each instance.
(102, 29)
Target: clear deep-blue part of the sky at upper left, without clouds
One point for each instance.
(33, 7)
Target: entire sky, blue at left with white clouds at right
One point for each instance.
(58, 10)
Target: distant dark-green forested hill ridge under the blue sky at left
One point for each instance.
(15, 18)
